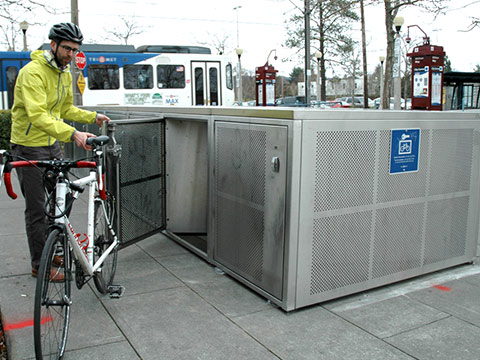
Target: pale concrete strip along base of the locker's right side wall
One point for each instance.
(402, 289)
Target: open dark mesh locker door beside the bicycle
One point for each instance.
(136, 176)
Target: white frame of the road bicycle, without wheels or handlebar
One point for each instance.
(84, 257)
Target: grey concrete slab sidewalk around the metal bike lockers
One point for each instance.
(176, 306)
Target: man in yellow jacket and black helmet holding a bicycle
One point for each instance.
(43, 98)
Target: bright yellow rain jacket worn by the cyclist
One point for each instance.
(43, 97)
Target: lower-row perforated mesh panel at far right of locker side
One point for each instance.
(446, 232)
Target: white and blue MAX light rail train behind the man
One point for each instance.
(152, 75)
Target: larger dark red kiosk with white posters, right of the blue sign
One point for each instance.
(427, 75)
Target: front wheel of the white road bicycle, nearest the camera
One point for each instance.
(51, 316)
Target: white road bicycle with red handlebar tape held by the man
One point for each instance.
(80, 256)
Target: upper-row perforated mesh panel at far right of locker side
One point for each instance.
(451, 163)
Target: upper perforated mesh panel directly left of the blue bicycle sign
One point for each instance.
(344, 169)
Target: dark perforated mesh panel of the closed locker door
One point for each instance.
(240, 198)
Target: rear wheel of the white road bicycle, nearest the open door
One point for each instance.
(102, 240)
